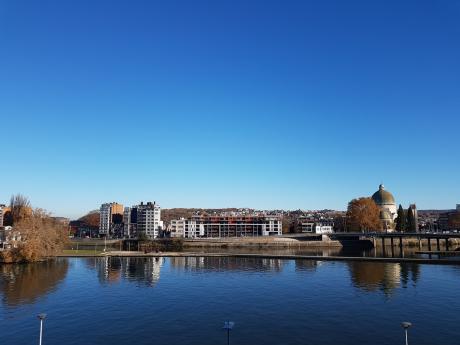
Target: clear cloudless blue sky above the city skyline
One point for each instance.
(263, 104)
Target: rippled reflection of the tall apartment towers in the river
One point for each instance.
(141, 270)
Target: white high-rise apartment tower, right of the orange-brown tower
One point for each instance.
(149, 221)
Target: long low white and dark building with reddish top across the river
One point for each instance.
(226, 226)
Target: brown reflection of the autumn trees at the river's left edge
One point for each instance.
(24, 284)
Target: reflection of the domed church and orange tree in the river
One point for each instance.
(372, 276)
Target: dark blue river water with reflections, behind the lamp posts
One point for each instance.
(186, 300)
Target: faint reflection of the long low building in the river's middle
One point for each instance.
(210, 263)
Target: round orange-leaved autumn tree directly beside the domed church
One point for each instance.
(363, 214)
